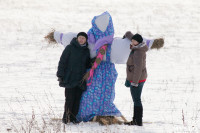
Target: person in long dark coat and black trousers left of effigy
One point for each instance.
(73, 64)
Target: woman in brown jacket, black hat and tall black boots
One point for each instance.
(136, 76)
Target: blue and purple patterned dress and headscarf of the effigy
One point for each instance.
(98, 99)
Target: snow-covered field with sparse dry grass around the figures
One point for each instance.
(30, 98)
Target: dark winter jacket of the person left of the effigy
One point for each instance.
(74, 62)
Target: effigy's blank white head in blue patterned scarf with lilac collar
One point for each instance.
(102, 30)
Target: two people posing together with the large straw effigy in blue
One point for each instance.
(87, 72)
